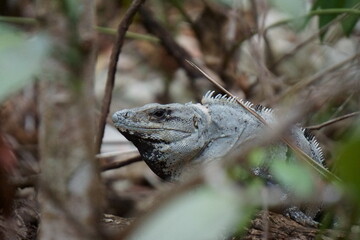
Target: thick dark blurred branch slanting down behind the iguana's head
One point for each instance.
(171, 46)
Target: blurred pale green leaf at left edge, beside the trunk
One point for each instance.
(20, 59)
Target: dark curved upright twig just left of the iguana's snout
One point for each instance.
(122, 28)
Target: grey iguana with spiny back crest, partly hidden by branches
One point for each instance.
(175, 137)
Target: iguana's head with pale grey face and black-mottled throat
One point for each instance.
(168, 136)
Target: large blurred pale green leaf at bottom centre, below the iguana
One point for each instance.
(200, 214)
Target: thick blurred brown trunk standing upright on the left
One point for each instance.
(69, 182)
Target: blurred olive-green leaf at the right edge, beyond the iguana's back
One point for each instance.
(347, 165)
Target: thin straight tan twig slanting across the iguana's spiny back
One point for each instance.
(301, 154)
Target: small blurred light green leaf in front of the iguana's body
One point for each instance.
(293, 176)
